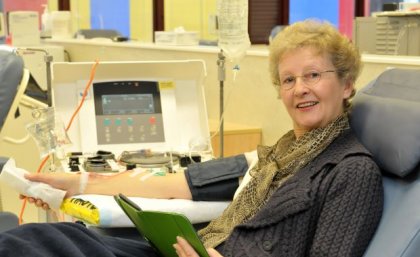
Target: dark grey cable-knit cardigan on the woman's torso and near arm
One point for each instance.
(329, 208)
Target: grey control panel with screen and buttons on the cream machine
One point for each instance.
(128, 112)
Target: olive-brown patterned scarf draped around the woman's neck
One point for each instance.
(275, 165)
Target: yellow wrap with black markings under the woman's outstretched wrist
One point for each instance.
(81, 209)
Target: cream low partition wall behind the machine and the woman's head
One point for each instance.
(250, 99)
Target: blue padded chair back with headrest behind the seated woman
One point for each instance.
(386, 119)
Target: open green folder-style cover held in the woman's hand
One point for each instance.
(161, 228)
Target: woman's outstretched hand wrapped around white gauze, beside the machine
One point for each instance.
(65, 181)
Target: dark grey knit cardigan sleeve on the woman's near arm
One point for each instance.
(351, 211)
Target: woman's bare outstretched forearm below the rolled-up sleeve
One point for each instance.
(172, 185)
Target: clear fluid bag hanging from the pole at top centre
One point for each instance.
(233, 28)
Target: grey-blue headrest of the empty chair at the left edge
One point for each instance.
(11, 71)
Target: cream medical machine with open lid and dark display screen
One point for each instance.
(150, 114)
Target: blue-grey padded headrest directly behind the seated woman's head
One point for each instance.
(386, 119)
